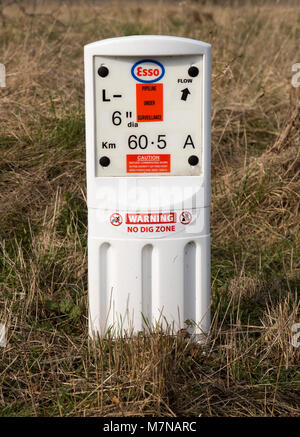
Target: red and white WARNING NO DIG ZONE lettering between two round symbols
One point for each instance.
(161, 222)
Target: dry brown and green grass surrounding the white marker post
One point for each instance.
(48, 366)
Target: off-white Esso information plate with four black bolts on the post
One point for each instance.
(148, 115)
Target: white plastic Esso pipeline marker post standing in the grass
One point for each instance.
(147, 102)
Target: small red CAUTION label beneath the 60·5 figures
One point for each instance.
(148, 163)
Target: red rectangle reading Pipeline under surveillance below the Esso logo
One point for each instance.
(149, 102)
